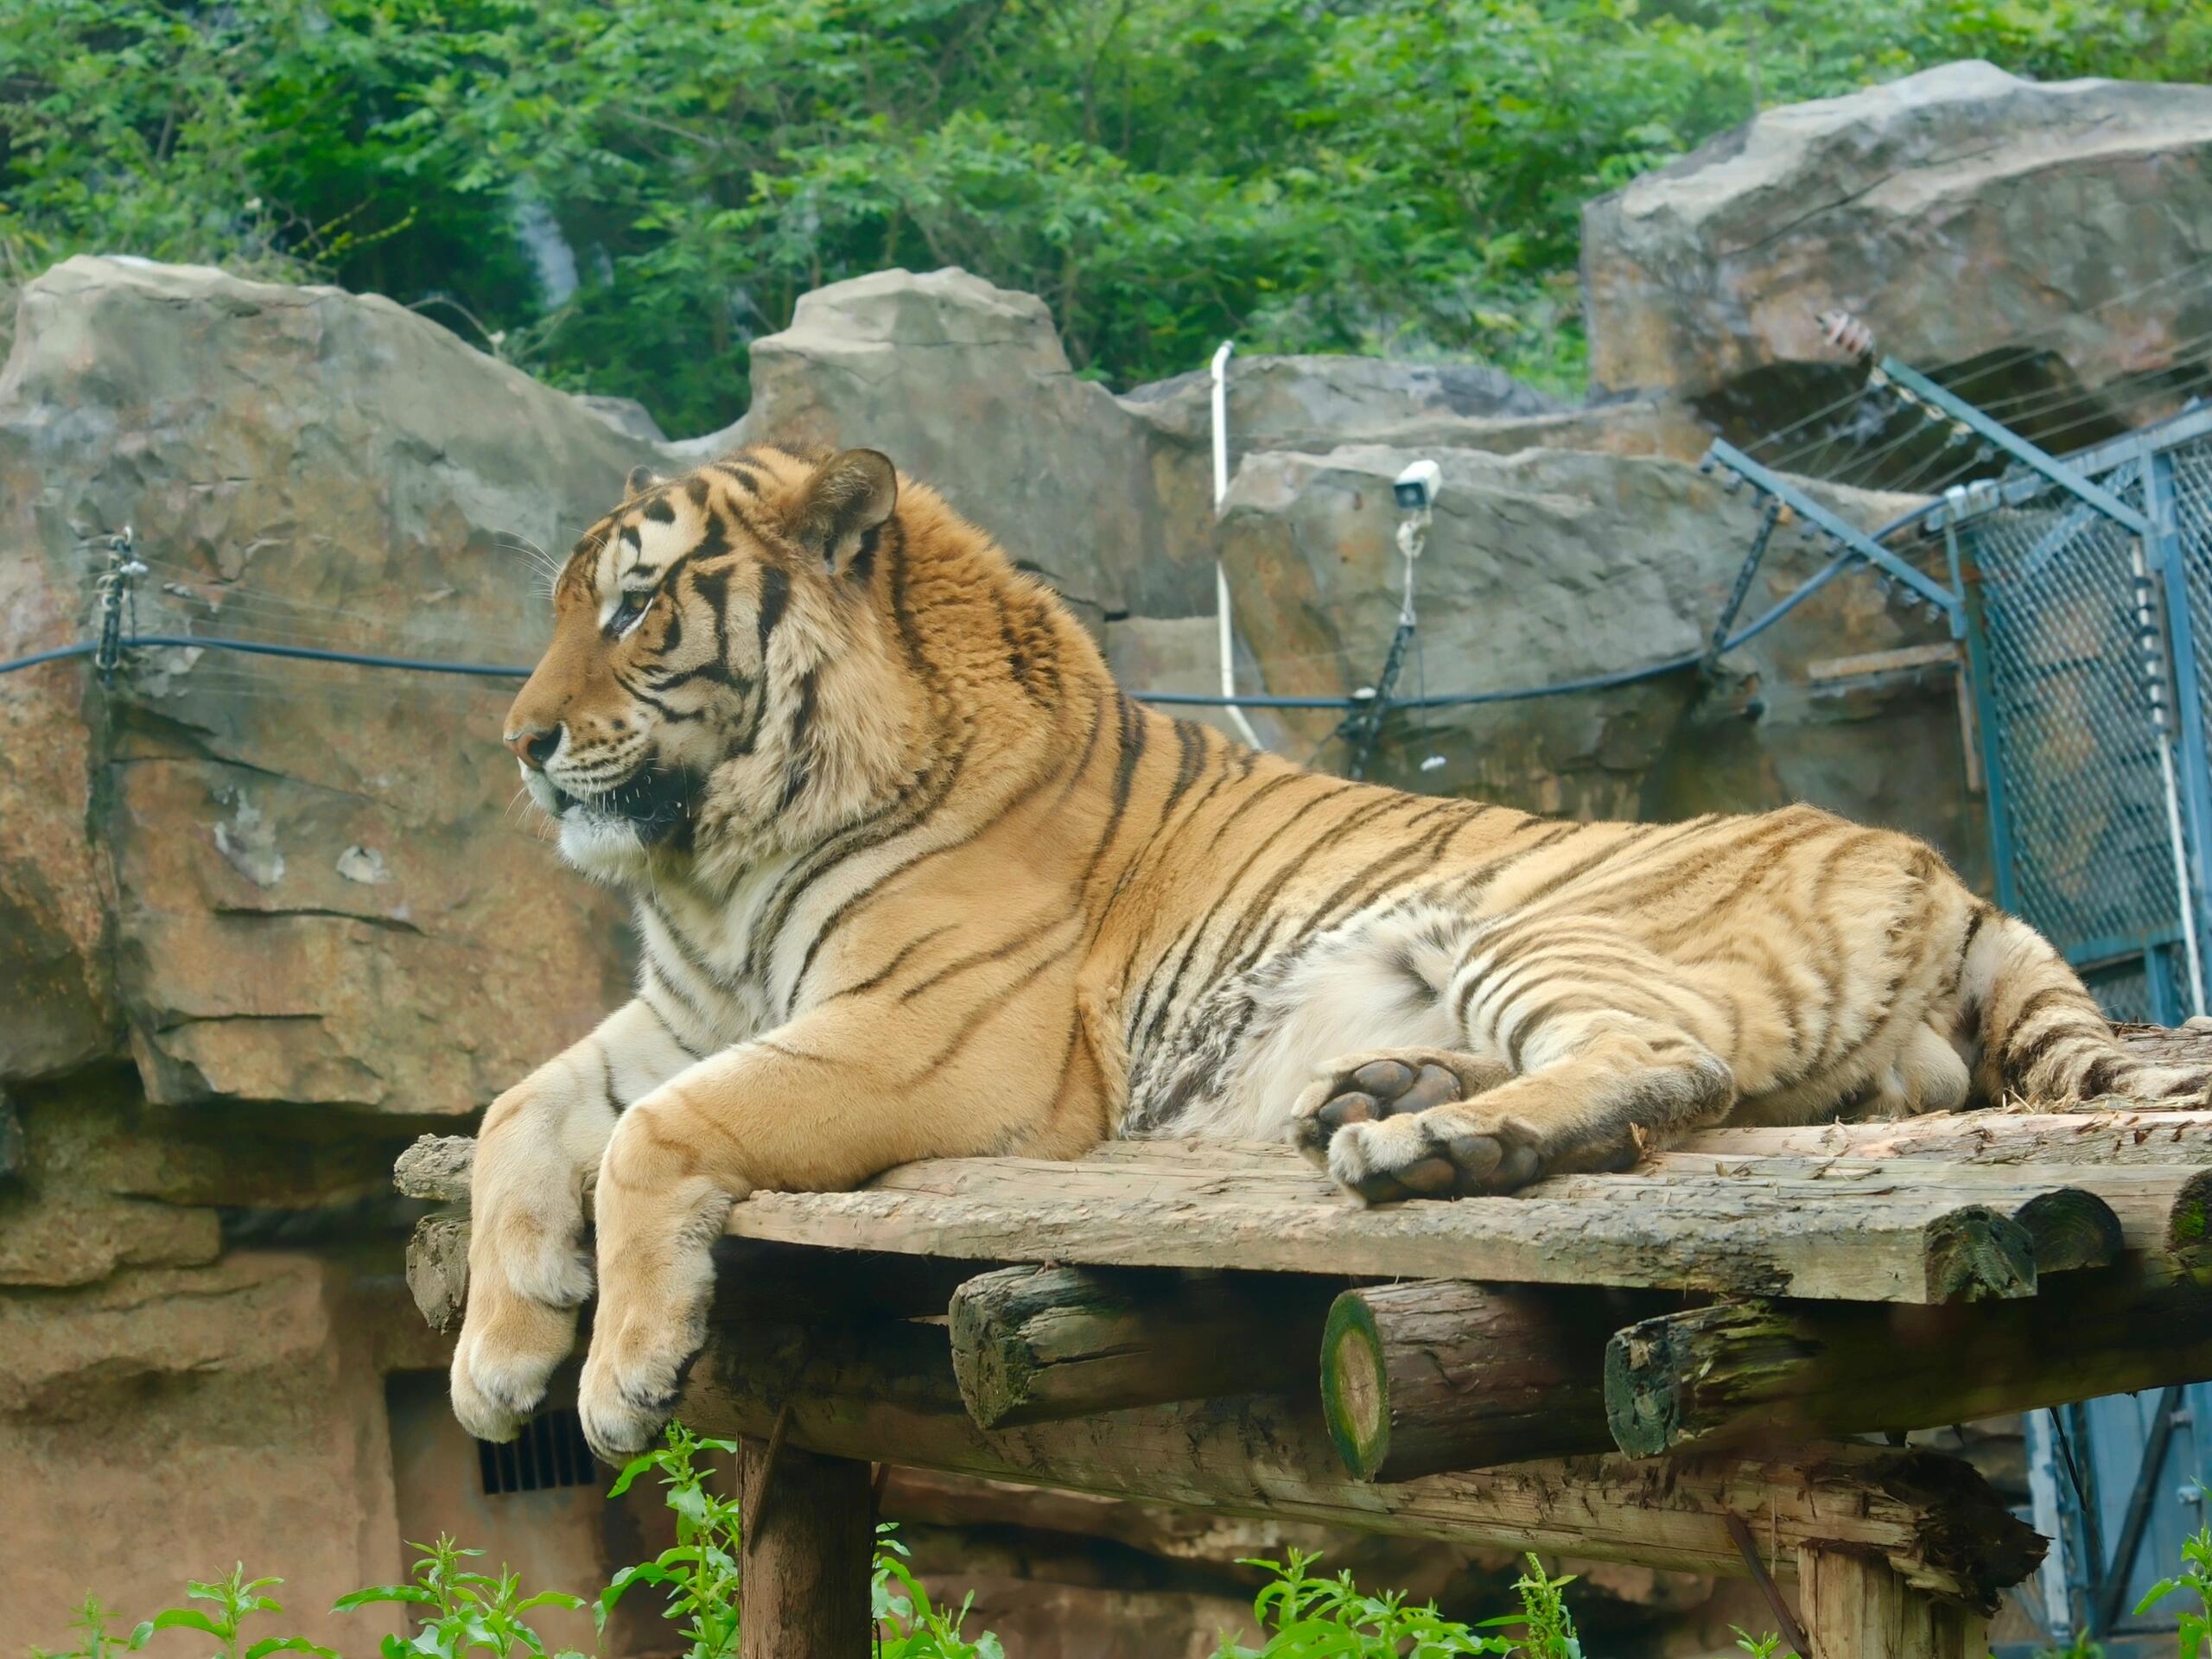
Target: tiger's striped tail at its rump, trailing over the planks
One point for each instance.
(2041, 1034)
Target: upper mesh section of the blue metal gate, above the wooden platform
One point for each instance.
(2091, 702)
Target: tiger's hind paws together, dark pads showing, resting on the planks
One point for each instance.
(1397, 1125)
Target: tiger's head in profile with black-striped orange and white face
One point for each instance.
(720, 680)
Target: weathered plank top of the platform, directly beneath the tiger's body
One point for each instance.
(1773, 1213)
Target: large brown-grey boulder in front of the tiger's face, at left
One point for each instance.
(284, 881)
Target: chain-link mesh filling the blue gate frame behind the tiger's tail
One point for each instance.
(2085, 804)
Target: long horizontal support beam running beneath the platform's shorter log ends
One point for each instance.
(888, 1392)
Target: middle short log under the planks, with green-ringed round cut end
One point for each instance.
(1446, 1375)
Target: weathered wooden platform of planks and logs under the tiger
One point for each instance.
(1224, 1331)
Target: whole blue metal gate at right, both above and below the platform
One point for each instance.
(2094, 709)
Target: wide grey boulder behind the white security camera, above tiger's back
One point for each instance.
(1552, 567)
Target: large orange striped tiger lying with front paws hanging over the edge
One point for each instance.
(915, 877)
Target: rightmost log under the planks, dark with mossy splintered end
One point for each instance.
(1760, 1370)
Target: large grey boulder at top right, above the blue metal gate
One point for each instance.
(2014, 236)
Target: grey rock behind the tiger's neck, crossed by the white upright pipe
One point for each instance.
(1109, 499)
